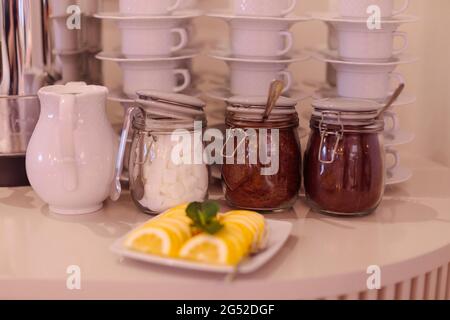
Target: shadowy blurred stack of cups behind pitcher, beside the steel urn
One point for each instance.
(75, 46)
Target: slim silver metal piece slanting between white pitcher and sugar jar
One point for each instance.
(116, 188)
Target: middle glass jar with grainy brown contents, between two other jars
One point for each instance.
(262, 158)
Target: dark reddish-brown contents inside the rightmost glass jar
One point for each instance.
(353, 182)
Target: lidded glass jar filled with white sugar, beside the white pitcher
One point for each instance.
(166, 166)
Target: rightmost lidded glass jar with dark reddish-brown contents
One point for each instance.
(344, 164)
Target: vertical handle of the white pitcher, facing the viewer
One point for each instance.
(67, 106)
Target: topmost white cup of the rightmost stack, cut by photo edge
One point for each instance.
(364, 8)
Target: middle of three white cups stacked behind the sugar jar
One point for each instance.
(141, 38)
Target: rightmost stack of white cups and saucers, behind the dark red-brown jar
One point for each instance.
(363, 53)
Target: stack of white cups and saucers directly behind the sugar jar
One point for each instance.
(156, 51)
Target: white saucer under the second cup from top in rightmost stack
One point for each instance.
(332, 56)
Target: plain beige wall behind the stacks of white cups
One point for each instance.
(429, 79)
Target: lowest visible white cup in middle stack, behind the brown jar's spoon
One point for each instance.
(254, 79)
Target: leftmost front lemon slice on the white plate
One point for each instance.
(153, 240)
